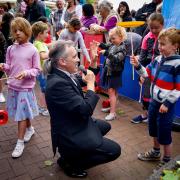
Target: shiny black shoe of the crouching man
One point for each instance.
(71, 171)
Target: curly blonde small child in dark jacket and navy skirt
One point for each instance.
(115, 53)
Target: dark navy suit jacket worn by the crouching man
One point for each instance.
(71, 123)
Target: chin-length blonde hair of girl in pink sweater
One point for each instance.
(21, 24)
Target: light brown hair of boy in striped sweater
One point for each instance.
(172, 34)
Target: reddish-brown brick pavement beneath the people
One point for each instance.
(132, 138)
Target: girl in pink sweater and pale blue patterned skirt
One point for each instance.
(22, 66)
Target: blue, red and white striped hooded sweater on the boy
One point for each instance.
(164, 74)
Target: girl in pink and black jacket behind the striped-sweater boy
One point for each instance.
(149, 51)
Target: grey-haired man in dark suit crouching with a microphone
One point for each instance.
(78, 137)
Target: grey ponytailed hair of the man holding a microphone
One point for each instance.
(58, 51)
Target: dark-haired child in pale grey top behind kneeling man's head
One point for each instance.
(71, 32)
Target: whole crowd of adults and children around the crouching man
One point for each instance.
(36, 46)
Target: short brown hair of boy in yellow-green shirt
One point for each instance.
(39, 27)
